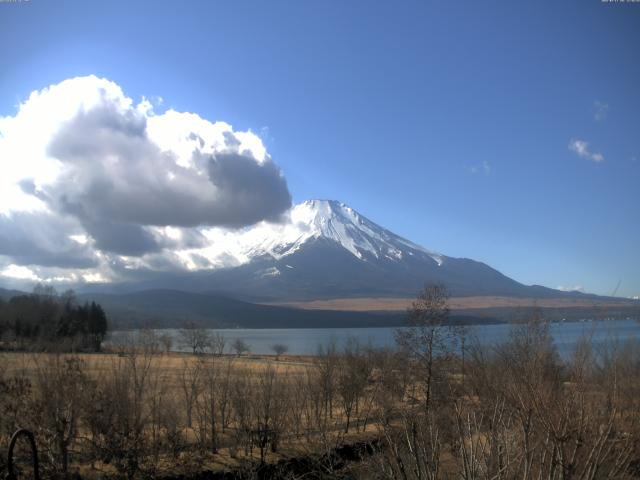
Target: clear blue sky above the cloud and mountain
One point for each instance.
(449, 123)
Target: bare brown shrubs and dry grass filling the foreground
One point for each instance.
(438, 406)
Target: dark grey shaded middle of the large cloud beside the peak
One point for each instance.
(117, 181)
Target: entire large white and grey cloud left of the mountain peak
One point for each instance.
(89, 180)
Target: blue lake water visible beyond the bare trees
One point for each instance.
(305, 341)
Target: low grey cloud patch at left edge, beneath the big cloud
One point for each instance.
(42, 239)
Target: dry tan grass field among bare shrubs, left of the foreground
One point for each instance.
(256, 390)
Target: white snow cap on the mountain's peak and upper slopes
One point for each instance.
(310, 220)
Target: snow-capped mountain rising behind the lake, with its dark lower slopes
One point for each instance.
(327, 250)
